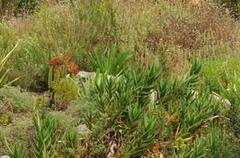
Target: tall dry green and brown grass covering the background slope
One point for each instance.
(180, 28)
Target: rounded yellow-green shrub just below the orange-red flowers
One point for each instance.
(66, 90)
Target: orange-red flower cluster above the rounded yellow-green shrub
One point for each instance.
(66, 60)
